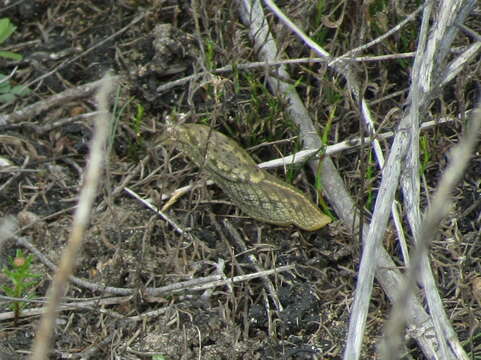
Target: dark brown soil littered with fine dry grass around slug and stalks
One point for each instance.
(130, 247)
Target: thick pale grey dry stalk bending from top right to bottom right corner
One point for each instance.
(428, 63)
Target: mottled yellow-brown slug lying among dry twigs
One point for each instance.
(258, 193)
